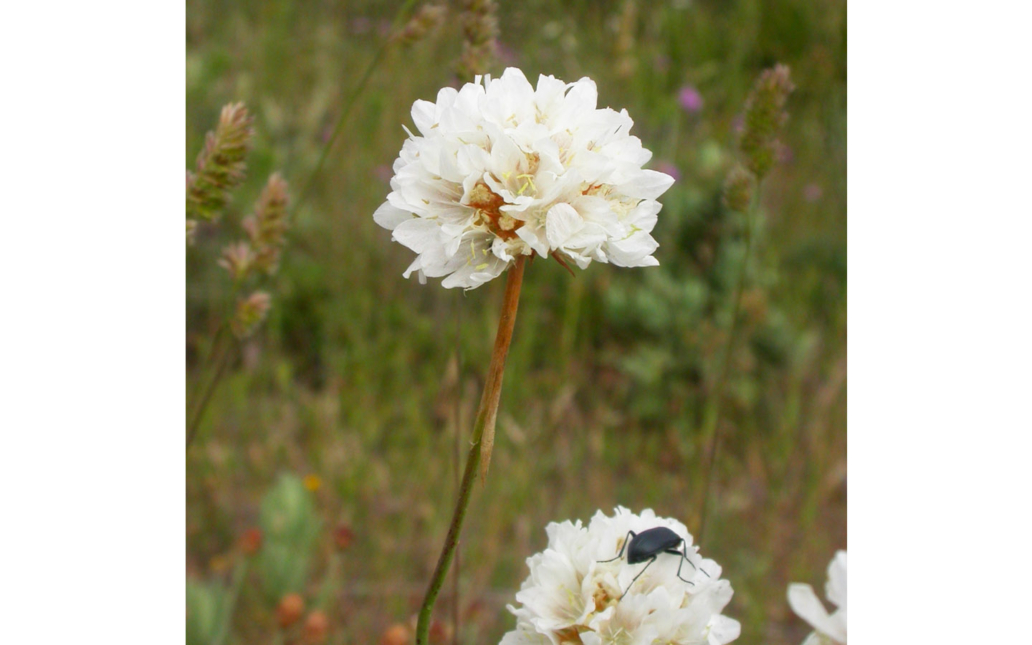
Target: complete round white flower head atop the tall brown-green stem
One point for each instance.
(502, 169)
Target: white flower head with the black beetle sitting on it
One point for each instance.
(572, 597)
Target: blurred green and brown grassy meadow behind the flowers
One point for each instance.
(362, 382)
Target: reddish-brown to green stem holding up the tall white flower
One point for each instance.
(482, 430)
